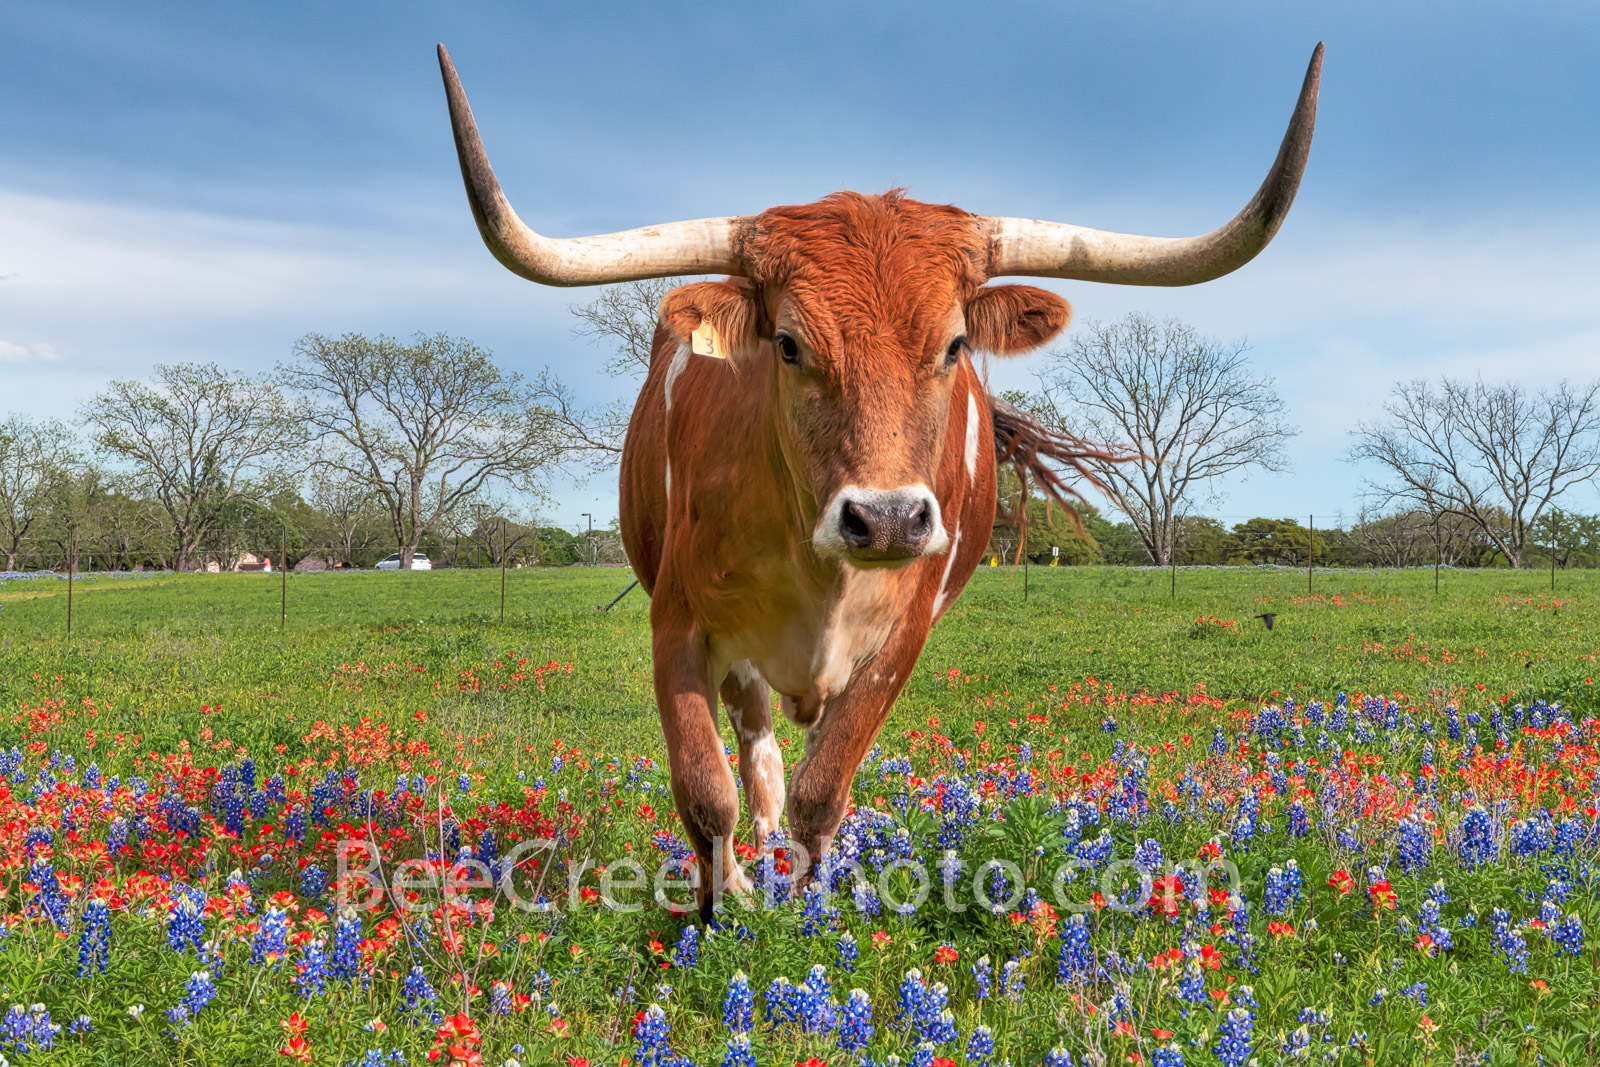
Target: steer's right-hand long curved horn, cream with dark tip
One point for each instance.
(1058, 250)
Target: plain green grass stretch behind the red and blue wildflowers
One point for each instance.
(154, 652)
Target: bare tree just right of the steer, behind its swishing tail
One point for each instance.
(1183, 409)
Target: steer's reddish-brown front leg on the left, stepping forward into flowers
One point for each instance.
(702, 781)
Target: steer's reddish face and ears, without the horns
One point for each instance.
(866, 308)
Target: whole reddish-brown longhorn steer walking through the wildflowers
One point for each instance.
(810, 471)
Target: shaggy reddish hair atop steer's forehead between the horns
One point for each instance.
(865, 268)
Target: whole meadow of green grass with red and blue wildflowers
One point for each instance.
(1103, 826)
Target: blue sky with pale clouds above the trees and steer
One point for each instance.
(214, 182)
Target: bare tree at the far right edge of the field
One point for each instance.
(1497, 457)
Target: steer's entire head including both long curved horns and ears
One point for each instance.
(866, 308)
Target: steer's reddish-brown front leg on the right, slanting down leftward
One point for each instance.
(834, 746)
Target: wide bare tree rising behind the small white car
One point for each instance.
(426, 425)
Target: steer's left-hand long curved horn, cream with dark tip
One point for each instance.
(657, 252)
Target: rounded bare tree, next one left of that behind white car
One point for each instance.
(198, 441)
